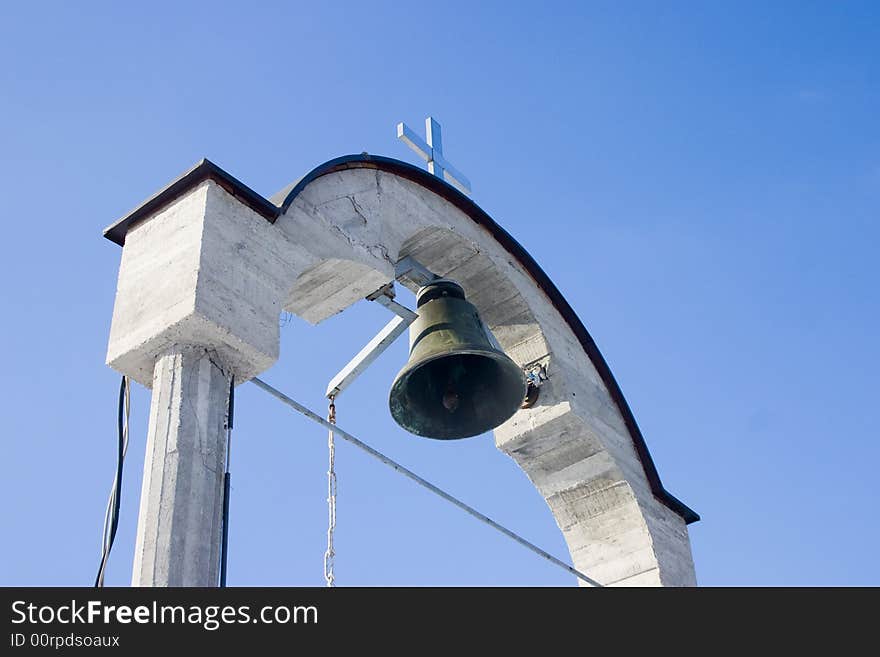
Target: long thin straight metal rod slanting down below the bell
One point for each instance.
(422, 482)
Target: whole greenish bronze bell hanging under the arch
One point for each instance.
(456, 384)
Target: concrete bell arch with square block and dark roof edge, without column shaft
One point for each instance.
(334, 237)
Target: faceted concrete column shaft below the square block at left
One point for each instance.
(179, 524)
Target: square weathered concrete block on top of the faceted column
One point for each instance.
(205, 270)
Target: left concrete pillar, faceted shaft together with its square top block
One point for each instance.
(197, 302)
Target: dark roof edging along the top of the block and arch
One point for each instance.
(271, 212)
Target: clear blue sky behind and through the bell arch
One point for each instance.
(701, 180)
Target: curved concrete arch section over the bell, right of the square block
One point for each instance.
(575, 444)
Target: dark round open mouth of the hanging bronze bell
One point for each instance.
(457, 396)
